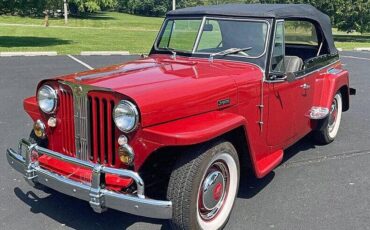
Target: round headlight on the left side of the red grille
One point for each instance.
(47, 99)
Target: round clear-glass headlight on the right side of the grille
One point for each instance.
(125, 116)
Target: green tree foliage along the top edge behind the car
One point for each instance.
(346, 15)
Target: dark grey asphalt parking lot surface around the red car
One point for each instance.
(316, 187)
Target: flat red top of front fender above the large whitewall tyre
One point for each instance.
(195, 129)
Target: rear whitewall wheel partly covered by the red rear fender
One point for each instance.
(330, 126)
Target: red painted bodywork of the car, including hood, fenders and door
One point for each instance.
(166, 90)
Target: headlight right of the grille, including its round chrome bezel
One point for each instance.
(134, 114)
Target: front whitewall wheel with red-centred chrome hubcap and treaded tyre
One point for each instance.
(203, 187)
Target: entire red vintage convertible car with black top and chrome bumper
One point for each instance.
(223, 86)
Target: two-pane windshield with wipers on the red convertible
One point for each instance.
(216, 36)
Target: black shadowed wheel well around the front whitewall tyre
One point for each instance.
(156, 170)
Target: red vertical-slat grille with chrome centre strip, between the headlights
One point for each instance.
(87, 128)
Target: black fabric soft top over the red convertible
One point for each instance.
(276, 11)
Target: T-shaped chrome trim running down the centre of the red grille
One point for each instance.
(81, 117)
